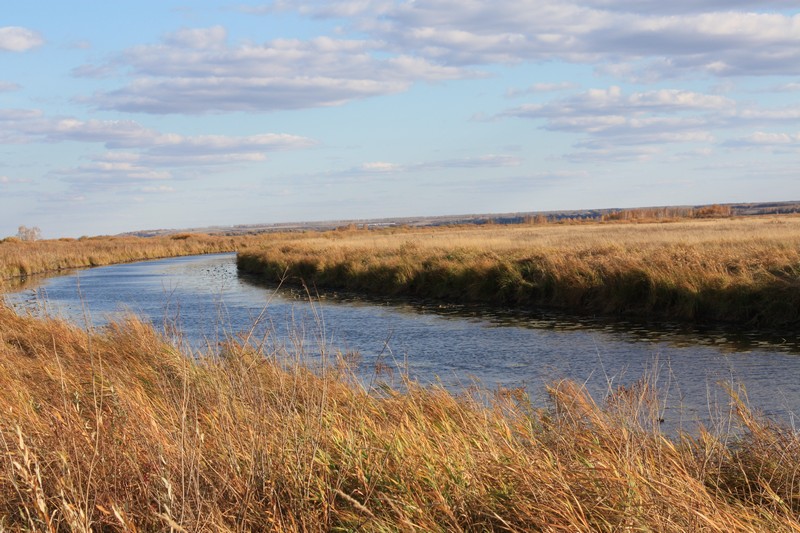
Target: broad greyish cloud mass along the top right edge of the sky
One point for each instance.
(716, 37)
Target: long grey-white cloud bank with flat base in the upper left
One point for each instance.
(195, 71)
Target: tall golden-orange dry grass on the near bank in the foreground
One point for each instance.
(119, 430)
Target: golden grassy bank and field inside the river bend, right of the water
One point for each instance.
(736, 270)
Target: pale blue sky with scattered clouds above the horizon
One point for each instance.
(122, 116)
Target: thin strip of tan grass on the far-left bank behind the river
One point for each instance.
(22, 258)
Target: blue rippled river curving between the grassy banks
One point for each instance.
(205, 299)
